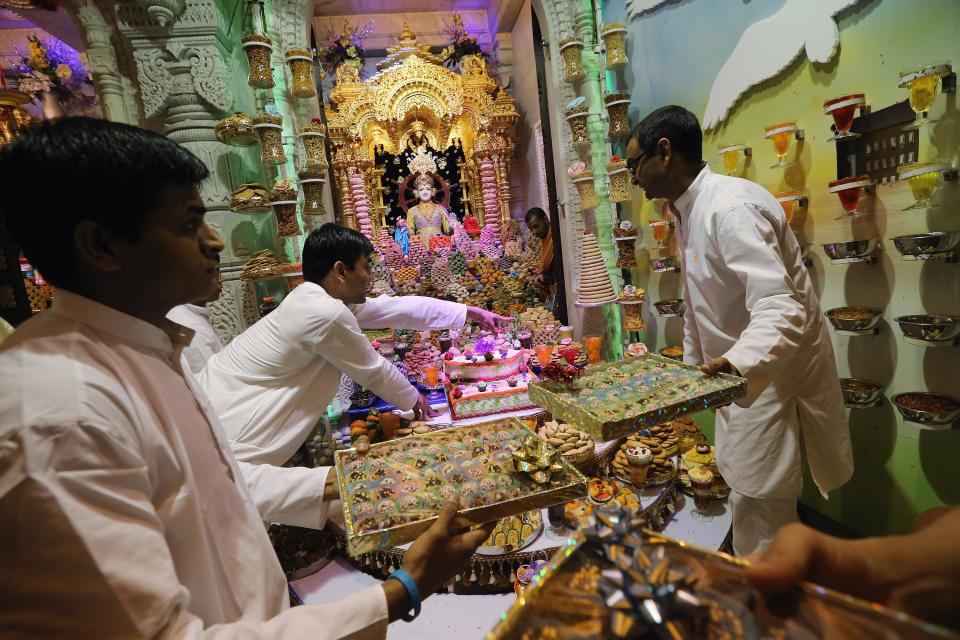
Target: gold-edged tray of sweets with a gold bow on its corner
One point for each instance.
(393, 493)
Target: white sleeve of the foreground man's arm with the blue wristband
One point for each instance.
(96, 563)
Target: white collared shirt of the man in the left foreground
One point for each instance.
(123, 512)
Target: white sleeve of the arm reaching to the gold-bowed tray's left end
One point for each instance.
(288, 495)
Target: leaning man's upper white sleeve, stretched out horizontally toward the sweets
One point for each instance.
(409, 312)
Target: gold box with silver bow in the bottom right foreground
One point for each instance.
(678, 590)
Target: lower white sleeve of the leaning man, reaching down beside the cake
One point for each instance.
(344, 347)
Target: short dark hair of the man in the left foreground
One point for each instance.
(63, 171)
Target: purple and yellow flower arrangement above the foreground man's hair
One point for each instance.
(52, 67)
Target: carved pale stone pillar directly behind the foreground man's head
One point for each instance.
(179, 49)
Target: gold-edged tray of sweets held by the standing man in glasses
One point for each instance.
(618, 398)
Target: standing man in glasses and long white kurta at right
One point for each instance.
(751, 310)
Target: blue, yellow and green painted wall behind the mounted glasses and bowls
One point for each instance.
(676, 51)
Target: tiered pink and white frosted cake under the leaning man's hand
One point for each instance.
(481, 387)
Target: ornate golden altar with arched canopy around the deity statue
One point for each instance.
(409, 110)
